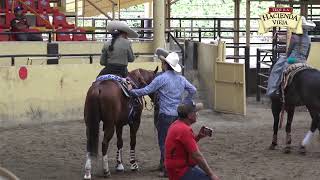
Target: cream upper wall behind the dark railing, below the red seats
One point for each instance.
(86, 47)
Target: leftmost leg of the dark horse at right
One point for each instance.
(276, 109)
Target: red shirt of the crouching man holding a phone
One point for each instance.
(179, 145)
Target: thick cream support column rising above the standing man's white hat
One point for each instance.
(159, 23)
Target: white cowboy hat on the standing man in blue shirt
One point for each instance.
(171, 58)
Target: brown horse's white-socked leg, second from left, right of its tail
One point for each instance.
(108, 133)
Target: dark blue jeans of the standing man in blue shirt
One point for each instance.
(163, 124)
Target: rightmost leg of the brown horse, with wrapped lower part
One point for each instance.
(133, 135)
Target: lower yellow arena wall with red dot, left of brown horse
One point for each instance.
(50, 93)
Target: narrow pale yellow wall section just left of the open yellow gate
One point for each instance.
(207, 55)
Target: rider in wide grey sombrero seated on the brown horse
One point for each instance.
(118, 52)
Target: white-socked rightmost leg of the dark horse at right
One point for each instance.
(314, 125)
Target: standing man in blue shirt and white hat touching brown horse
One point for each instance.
(169, 87)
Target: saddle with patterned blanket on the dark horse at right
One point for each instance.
(289, 73)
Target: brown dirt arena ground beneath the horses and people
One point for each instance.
(238, 150)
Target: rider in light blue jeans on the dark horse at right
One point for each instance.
(298, 51)
